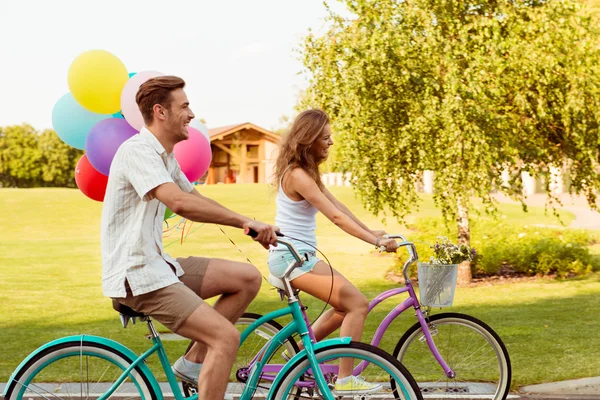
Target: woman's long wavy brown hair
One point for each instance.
(295, 148)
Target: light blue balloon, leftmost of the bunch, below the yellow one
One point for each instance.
(72, 122)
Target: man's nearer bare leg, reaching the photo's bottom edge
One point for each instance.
(221, 340)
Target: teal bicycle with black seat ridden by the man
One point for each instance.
(92, 367)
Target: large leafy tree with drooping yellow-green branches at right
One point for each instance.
(466, 89)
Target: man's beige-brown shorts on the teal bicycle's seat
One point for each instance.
(173, 304)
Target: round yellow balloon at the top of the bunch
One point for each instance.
(96, 79)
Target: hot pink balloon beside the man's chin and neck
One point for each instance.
(193, 155)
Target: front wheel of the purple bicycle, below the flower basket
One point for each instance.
(470, 347)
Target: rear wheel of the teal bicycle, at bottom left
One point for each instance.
(78, 369)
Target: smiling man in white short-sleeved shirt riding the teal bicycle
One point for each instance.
(144, 178)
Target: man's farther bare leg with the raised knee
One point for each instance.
(237, 283)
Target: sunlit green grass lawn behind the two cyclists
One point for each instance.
(50, 282)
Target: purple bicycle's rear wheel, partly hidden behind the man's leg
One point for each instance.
(250, 348)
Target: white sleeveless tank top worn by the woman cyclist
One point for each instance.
(296, 219)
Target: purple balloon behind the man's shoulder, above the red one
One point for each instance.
(104, 140)
